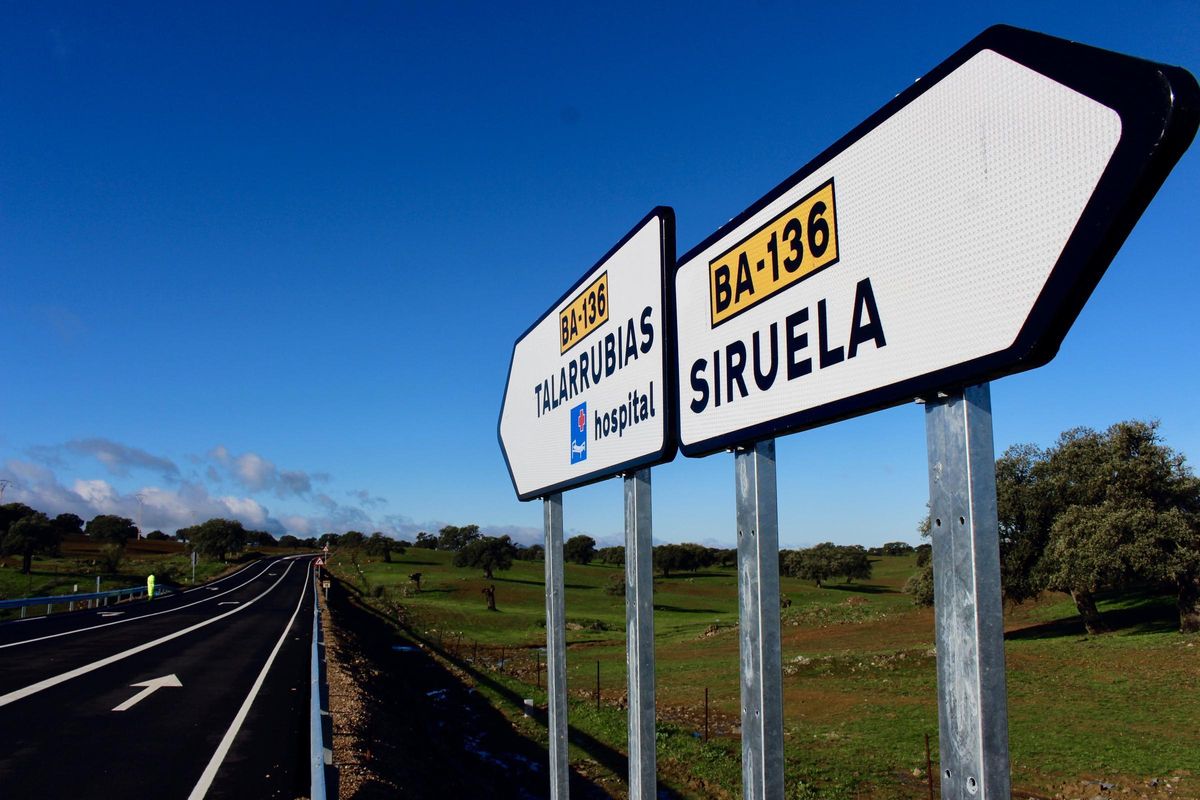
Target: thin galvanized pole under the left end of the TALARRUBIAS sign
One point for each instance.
(556, 647)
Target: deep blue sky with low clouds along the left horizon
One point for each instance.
(269, 262)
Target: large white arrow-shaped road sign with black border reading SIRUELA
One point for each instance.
(950, 239)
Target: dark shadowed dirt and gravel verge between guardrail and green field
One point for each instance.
(407, 726)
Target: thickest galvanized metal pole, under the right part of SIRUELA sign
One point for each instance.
(973, 702)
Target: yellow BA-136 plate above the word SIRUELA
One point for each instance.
(795, 245)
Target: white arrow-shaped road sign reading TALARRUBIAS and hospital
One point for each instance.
(587, 394)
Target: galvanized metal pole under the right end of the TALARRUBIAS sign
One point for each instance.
(640, 636)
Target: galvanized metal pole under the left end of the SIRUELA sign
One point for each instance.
(763, 702)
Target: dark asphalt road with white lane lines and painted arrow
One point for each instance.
(236, 725)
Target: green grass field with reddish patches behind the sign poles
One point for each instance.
(859, 677)
